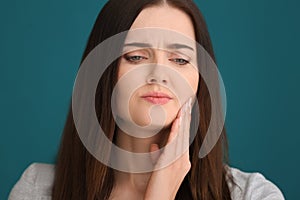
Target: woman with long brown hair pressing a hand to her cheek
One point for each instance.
(79, 175)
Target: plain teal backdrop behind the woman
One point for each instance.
(257, 48)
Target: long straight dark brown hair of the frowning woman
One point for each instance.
(78, 175)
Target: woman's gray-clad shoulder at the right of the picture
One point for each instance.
(252, 185)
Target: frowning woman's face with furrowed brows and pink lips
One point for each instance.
(158, 66)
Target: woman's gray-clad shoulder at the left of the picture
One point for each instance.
(35, 183)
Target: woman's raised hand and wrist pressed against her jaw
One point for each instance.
(164, 183)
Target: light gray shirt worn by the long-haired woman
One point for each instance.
(36, 184)
